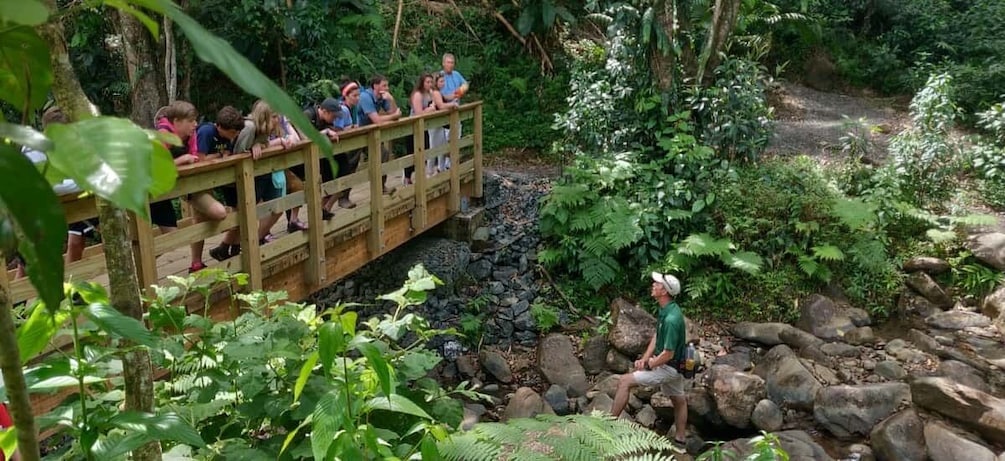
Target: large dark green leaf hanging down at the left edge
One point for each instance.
(35, 209)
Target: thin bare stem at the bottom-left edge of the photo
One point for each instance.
(14, 380)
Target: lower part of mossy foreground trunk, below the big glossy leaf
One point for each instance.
(124, 291)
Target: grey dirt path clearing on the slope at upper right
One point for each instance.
(813, 123)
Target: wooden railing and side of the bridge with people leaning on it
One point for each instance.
(310, 250)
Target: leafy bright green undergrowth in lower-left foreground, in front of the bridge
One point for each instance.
(280, 381)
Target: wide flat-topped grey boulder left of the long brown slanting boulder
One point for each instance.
(854, 410)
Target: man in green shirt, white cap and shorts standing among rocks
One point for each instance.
(667, 349)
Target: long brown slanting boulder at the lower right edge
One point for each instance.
(971, 408)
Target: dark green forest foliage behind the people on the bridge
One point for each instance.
(310, 47)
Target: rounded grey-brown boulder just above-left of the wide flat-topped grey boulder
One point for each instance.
(787, 381)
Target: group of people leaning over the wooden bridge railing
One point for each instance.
(355, 107)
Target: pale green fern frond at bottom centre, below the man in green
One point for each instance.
(549, 437)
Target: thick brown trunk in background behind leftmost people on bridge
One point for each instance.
(147, 92)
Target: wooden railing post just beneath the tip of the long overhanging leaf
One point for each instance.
(316, 233)
